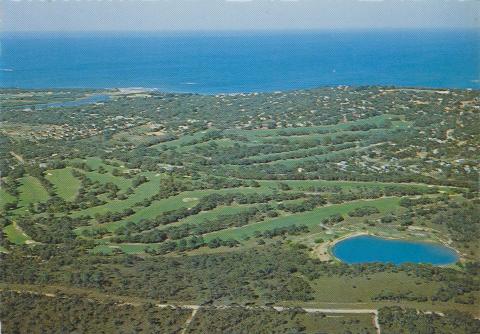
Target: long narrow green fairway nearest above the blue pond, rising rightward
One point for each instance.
(311, 218)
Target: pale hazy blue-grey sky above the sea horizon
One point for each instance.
(175, 15)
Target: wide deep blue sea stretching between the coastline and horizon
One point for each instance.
(241, 61)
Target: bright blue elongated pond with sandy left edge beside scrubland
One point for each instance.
(365, 248)
